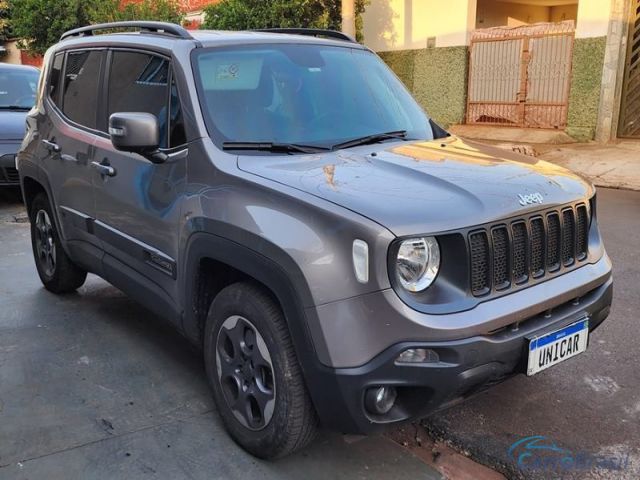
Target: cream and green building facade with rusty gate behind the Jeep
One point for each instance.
(564, 64)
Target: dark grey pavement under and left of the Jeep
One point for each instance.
(92, 386)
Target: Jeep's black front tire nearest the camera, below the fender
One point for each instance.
(293, 422)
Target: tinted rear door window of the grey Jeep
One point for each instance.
(81, 77)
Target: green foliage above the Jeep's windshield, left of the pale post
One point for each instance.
(252, 14)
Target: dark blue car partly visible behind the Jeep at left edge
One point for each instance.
(18, 84)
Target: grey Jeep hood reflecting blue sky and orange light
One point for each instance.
(424, 187)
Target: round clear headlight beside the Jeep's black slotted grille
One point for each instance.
(417, 263)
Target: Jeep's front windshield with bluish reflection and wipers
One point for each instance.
(303, 94)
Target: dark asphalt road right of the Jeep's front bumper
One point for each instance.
(589, 405)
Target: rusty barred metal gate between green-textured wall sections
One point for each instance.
(520, 76)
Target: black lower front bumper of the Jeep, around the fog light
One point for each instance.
(466, 367)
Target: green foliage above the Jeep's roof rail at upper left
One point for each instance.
(39, 23)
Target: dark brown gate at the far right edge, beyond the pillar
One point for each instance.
(630, 107)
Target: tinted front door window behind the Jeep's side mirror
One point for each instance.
(138, 82)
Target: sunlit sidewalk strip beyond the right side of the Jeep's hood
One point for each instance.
(611, 165)
